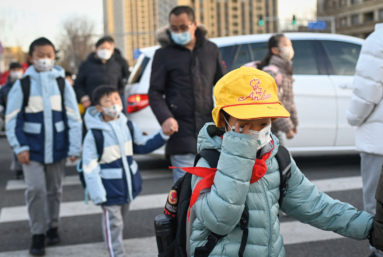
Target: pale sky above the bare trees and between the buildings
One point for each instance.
(22, 21)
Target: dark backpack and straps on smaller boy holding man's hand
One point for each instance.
(99, 140)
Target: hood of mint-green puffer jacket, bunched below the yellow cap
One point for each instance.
(210, 138)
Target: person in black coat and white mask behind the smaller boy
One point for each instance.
(105, 66)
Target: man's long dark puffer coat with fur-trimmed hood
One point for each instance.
(186, 79)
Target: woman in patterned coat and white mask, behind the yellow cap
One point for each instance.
(280, 53)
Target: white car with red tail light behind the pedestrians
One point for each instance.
(324, 65)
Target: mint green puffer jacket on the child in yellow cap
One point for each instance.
(219, 209)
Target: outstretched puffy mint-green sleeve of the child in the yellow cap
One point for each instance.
(307, 204)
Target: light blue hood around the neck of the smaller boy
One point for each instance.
(93, 120)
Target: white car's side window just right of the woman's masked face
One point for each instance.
(304, 59)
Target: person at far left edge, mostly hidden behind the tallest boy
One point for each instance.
(16, 72)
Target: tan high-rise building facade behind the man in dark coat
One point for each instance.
(133, 23)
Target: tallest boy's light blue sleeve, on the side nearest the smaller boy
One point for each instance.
(74, 121)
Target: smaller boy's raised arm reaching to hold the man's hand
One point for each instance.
(147, 144)
